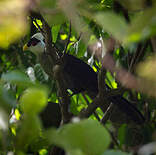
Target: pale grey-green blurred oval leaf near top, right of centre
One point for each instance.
(113, 24)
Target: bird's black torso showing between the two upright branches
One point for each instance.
(79, 75)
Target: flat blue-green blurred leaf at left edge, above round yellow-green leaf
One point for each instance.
(16, 77)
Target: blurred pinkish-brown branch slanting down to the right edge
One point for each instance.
(123, 76)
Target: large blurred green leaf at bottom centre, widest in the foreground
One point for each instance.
(89, 136)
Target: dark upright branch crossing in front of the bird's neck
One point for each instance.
(56, 70)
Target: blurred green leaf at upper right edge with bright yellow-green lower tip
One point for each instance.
(142, 26)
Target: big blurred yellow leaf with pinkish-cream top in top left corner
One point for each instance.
(13, 21)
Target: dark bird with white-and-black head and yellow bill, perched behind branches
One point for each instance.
(79, 76)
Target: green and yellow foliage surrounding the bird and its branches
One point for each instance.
(25, 91)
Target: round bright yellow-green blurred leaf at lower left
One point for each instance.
(33, 100)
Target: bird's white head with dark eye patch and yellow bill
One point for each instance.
(36, 44)
